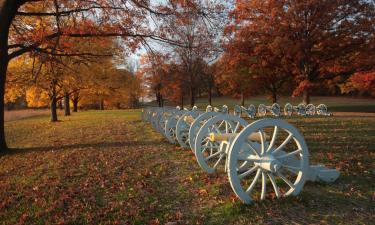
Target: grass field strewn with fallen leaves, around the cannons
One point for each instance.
(109, 167)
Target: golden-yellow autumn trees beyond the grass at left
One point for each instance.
(93, 81)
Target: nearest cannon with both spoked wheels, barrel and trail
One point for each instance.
(268, 148)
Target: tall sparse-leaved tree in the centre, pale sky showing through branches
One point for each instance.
(199, 40)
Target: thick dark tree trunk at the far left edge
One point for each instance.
(8, 9)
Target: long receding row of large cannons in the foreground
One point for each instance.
(267, 157)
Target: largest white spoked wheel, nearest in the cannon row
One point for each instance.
(284, 160)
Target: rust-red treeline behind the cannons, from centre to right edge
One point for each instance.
(272, 47)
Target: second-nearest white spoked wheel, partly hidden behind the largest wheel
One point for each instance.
(209, 153)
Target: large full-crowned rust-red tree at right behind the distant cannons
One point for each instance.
(305, 36)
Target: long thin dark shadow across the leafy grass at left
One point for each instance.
(84, 146)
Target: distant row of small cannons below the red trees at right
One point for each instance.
(275, 110)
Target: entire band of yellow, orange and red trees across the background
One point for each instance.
(196, 49)
